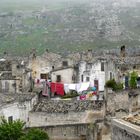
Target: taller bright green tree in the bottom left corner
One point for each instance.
(11, 130)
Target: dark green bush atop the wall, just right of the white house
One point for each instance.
(114, 85)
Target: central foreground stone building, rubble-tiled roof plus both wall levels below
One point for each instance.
(67, 119)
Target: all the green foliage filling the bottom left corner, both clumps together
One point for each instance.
(14, 131)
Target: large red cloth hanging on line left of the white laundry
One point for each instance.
(57, 88)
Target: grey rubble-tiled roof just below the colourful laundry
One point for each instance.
(64, 106)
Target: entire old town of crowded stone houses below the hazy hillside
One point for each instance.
(79, 96)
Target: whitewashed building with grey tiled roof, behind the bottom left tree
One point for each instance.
(13, 106)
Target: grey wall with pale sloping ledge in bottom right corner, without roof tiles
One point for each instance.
(122, 130)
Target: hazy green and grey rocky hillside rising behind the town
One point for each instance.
(66, 25)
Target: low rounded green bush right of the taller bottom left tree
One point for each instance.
(35, 134)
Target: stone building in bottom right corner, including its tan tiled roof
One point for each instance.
(127, 128)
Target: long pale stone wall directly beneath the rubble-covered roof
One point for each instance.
(39, 119)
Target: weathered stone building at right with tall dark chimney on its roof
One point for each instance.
(119, 67)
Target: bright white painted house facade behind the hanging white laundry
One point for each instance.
(88, 72)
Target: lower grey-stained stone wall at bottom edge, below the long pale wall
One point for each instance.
(71, 132)
